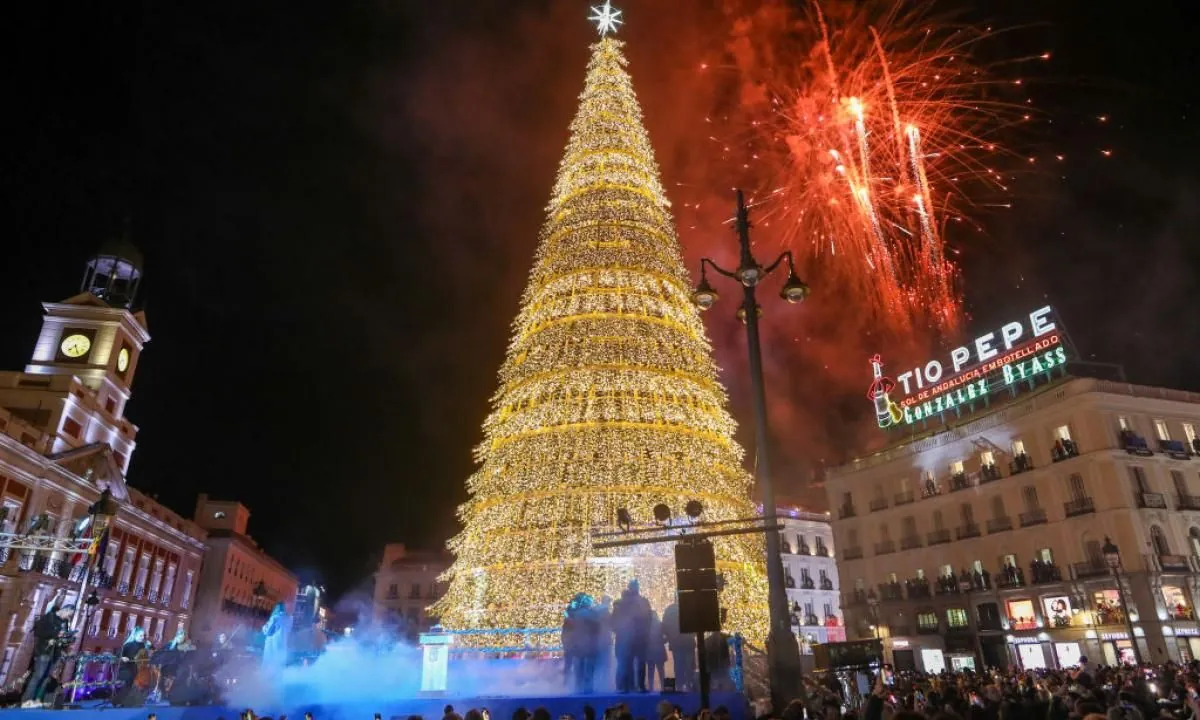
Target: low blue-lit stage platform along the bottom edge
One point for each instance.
(430, 709)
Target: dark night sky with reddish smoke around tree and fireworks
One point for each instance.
(339, 205)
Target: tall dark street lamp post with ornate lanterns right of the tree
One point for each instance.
(783, 652)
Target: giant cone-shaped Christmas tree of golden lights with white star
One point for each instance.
(609, 399)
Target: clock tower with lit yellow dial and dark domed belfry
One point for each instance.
(79, 381)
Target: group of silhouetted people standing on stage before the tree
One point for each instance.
(625, 646)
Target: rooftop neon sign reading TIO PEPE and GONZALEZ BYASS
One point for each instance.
(1018, 352)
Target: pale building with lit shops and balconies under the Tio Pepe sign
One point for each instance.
(986, 539)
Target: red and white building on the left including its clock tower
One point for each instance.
(64, 440)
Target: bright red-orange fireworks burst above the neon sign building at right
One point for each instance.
(871, 130)
